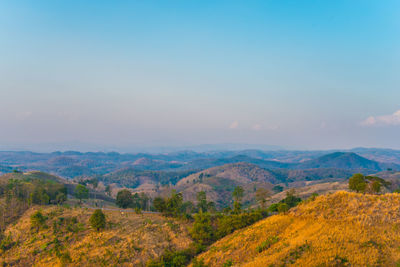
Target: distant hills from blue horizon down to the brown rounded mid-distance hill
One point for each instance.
(217, 173)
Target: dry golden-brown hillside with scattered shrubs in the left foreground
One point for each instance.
(128, 240)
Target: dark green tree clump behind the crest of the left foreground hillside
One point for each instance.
(125, 199)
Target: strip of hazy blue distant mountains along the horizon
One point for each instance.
(72, 164)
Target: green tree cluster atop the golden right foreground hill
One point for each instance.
(367, 184)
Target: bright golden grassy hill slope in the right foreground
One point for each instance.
(340, 229)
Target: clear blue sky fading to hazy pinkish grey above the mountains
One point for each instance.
(101, 75)
